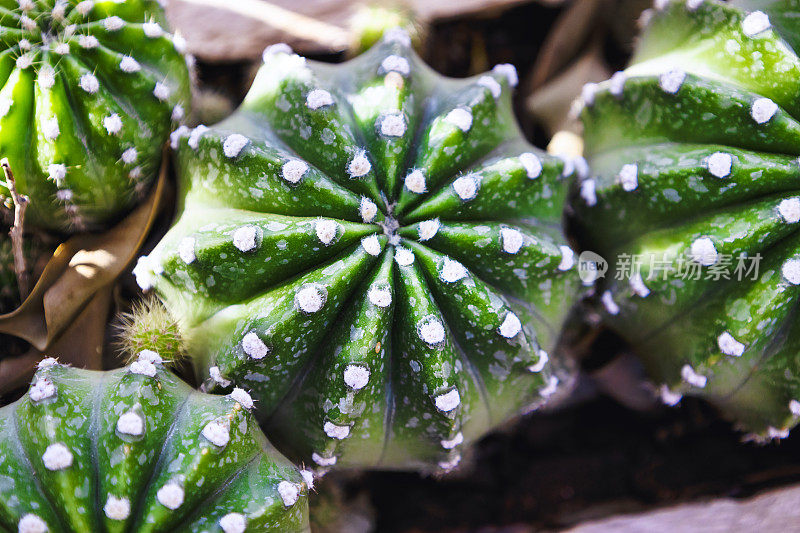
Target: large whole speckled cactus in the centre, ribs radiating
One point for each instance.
(375, 252)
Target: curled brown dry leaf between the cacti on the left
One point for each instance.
(81, 268)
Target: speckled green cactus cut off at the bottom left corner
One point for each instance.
(136, 449)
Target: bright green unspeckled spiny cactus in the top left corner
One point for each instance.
(88, 93)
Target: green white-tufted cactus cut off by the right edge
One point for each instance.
(694, 150)
